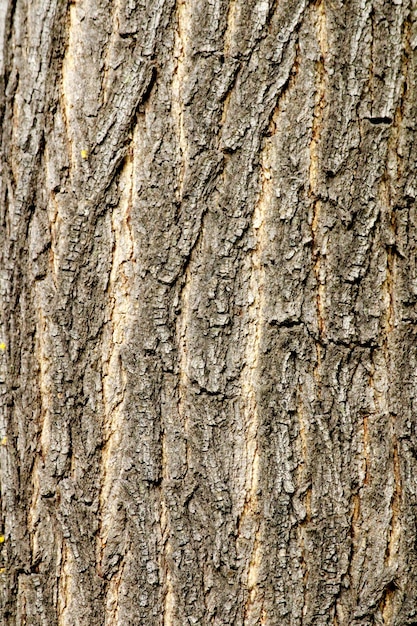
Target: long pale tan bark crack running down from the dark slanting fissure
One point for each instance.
(121, 311)
